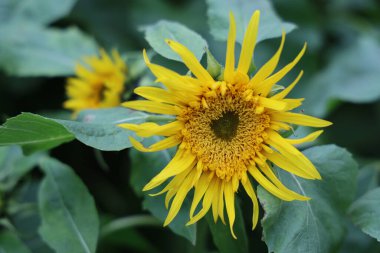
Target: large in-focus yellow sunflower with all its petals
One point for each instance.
(227, 131)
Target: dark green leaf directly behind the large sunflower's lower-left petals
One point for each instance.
(144, 166)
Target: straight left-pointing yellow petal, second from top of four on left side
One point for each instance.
(152, 106)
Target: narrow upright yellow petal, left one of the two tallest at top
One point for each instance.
(230, 54)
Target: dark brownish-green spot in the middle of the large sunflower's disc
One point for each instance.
(225, 127)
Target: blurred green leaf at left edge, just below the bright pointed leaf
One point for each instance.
(14, 165)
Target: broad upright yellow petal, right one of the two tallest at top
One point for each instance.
(249, 42)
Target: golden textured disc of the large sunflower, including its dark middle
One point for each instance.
(226, 134)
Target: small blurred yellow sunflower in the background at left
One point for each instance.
(97, 85)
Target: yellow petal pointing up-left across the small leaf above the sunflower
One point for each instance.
(190, 61)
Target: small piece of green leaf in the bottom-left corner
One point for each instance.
(10, 243)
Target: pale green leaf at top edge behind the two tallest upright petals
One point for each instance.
(270, 26)
